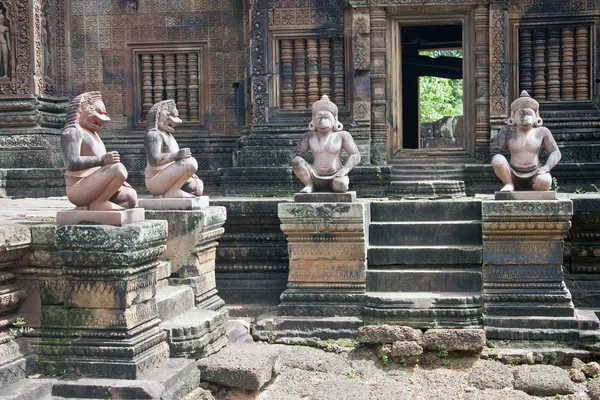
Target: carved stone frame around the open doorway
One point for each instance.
(422, 15)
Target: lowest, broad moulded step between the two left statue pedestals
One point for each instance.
(196, 333)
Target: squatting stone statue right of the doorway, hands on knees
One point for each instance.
(524, 144)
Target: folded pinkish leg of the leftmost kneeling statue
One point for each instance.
(95, 190)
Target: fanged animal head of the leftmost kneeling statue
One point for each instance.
(88, 111)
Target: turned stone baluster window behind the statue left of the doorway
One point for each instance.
(306, 68)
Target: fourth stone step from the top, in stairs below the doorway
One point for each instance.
(424, 280)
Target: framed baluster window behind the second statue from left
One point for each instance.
(174, 71)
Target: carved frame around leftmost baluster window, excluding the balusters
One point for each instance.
(134, 86)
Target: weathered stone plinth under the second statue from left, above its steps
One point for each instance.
(191, 249)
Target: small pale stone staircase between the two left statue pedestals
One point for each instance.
(192, 332)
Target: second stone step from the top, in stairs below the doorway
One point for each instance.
(425, 233)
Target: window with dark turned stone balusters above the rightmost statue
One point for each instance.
(555, 61)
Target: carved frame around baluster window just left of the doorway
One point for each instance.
(274, 36)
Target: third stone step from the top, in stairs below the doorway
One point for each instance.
(432, 255)
